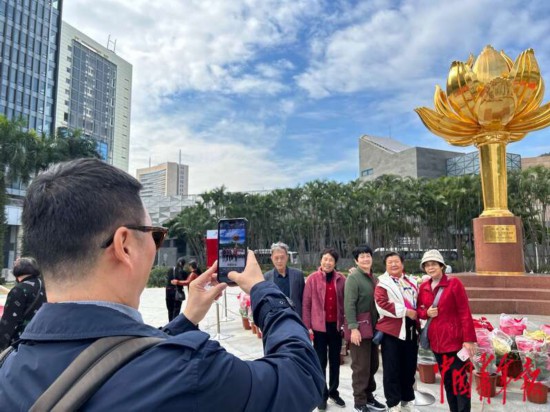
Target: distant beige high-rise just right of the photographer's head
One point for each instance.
(165, 179)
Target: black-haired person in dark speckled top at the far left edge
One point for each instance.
(23, 301)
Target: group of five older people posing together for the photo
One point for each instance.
(380, 312)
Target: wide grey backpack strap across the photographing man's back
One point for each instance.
(85, 375)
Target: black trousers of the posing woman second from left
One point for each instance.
(332, 340)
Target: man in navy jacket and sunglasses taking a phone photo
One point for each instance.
(86, 213)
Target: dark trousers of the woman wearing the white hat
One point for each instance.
(457, 399)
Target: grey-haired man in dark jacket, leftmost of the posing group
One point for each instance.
(289, 280)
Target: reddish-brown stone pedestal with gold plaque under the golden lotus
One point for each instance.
(499, 245)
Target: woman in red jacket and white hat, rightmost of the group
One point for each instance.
(451, 327)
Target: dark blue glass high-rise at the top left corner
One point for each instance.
(29, 47)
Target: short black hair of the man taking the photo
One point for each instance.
(71, 208)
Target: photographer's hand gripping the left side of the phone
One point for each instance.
(203, 291)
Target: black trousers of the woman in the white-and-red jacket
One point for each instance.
(399, 363)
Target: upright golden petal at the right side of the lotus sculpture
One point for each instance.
(527, 81)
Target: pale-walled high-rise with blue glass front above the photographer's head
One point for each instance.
(94, 94)
